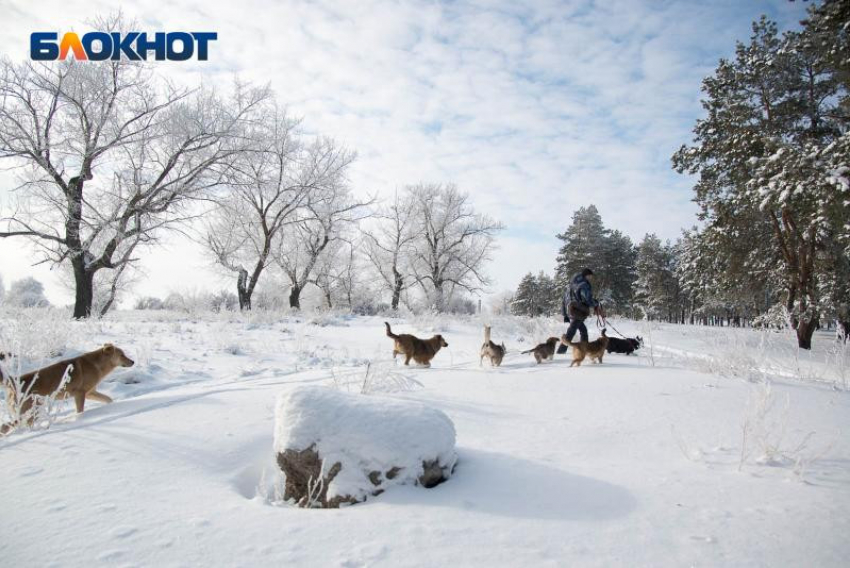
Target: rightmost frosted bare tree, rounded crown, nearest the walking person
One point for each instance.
(453, 242)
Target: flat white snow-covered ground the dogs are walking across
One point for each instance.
(636, 462)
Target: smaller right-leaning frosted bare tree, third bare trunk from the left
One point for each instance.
(324, 222)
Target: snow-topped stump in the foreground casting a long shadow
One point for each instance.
(336, 447)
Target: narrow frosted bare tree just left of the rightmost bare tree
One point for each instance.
(389, 245)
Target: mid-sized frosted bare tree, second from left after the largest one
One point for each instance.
(267, 187)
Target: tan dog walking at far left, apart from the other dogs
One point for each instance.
(85, 373)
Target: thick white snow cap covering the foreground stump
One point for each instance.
(363, 434)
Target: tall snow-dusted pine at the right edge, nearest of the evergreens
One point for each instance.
(774, 146)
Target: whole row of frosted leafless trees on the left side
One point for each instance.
(111, 156)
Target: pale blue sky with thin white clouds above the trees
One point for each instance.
(534, 108)
